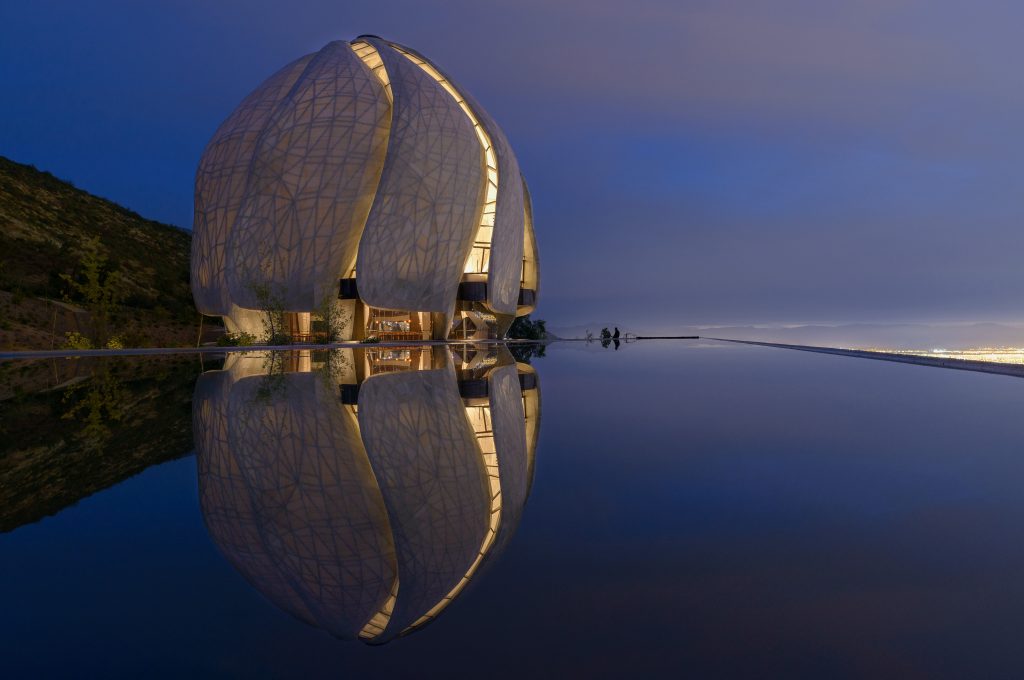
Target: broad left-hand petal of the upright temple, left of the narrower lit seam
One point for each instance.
(314, 178)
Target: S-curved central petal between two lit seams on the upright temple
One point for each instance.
(429, 204)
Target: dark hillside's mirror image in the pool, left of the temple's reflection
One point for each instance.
(70, 429)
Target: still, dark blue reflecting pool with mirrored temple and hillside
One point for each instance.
(690, 509)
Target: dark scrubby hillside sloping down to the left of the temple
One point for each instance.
(44, 224)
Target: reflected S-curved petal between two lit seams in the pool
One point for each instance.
(433, 478)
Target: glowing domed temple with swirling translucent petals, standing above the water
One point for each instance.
(363, 178)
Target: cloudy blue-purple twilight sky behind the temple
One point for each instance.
(690, 162)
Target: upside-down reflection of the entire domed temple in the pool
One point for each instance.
(362, 490)
